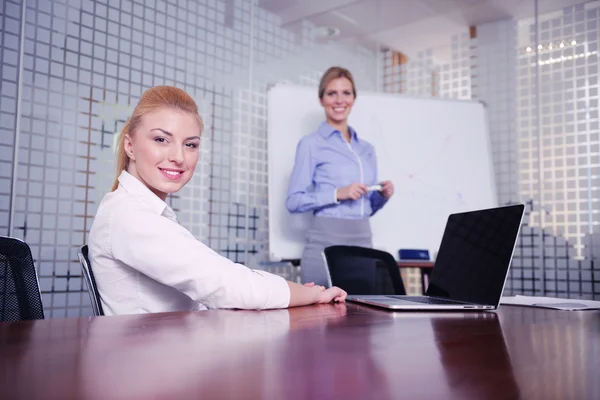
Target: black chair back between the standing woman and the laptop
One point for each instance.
(359, 270)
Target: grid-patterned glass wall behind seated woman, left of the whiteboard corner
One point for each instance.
(84, 66)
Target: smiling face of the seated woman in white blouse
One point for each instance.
(163, 151)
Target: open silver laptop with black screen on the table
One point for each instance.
(471, 267)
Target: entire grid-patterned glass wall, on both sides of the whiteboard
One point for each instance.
(73, 69)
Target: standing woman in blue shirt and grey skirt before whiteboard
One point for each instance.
(333, 170)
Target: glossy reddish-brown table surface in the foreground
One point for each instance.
(320, 352)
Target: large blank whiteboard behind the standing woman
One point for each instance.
(436, 152)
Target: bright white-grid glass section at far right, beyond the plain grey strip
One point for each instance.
(559, 147)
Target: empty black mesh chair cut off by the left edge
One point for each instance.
(20, 297)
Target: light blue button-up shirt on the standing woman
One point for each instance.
(324, 163)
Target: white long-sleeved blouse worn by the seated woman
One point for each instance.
(145, 262)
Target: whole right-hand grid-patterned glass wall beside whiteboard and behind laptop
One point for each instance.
(539, 80)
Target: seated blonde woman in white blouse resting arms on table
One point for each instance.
(143, 260)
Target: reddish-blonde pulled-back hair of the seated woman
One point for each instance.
(152, 100)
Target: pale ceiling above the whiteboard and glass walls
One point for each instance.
(408, 26)
